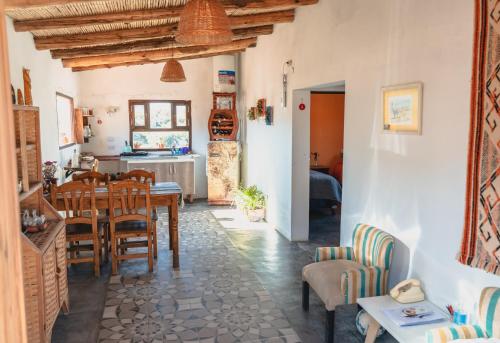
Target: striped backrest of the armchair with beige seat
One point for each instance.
(372, 246)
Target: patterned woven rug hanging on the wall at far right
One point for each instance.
(481, 238)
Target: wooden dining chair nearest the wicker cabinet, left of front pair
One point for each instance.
(81, 221)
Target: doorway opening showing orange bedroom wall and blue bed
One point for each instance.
(326, 161)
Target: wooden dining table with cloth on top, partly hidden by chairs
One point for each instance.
(162, 194)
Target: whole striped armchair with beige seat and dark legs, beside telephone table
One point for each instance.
(341, 275)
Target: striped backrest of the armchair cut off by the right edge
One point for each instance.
(489, 311)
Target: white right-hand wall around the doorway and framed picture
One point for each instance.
(411, 186)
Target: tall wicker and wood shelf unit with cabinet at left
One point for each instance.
(44, 253)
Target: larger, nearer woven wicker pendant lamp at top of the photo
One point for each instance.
(204, 22)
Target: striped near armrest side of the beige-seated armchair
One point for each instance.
(363, 282)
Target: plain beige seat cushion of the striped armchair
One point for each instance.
(324, 277)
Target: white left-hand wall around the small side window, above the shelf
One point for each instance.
(47, 77)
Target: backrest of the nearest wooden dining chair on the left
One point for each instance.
(79, 202)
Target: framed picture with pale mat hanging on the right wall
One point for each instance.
(402, 108)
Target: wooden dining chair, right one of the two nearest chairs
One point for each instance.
(127, 221)
